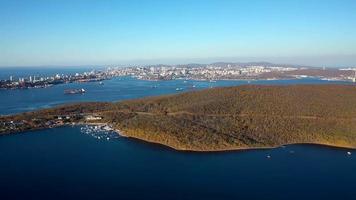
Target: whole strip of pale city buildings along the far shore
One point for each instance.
(215, 71)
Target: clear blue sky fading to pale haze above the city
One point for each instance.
(103, 32)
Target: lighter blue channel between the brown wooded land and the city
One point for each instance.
(117, 89)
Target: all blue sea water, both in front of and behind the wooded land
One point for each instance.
(64, 163)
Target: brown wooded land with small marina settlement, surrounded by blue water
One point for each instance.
(217, 119)
